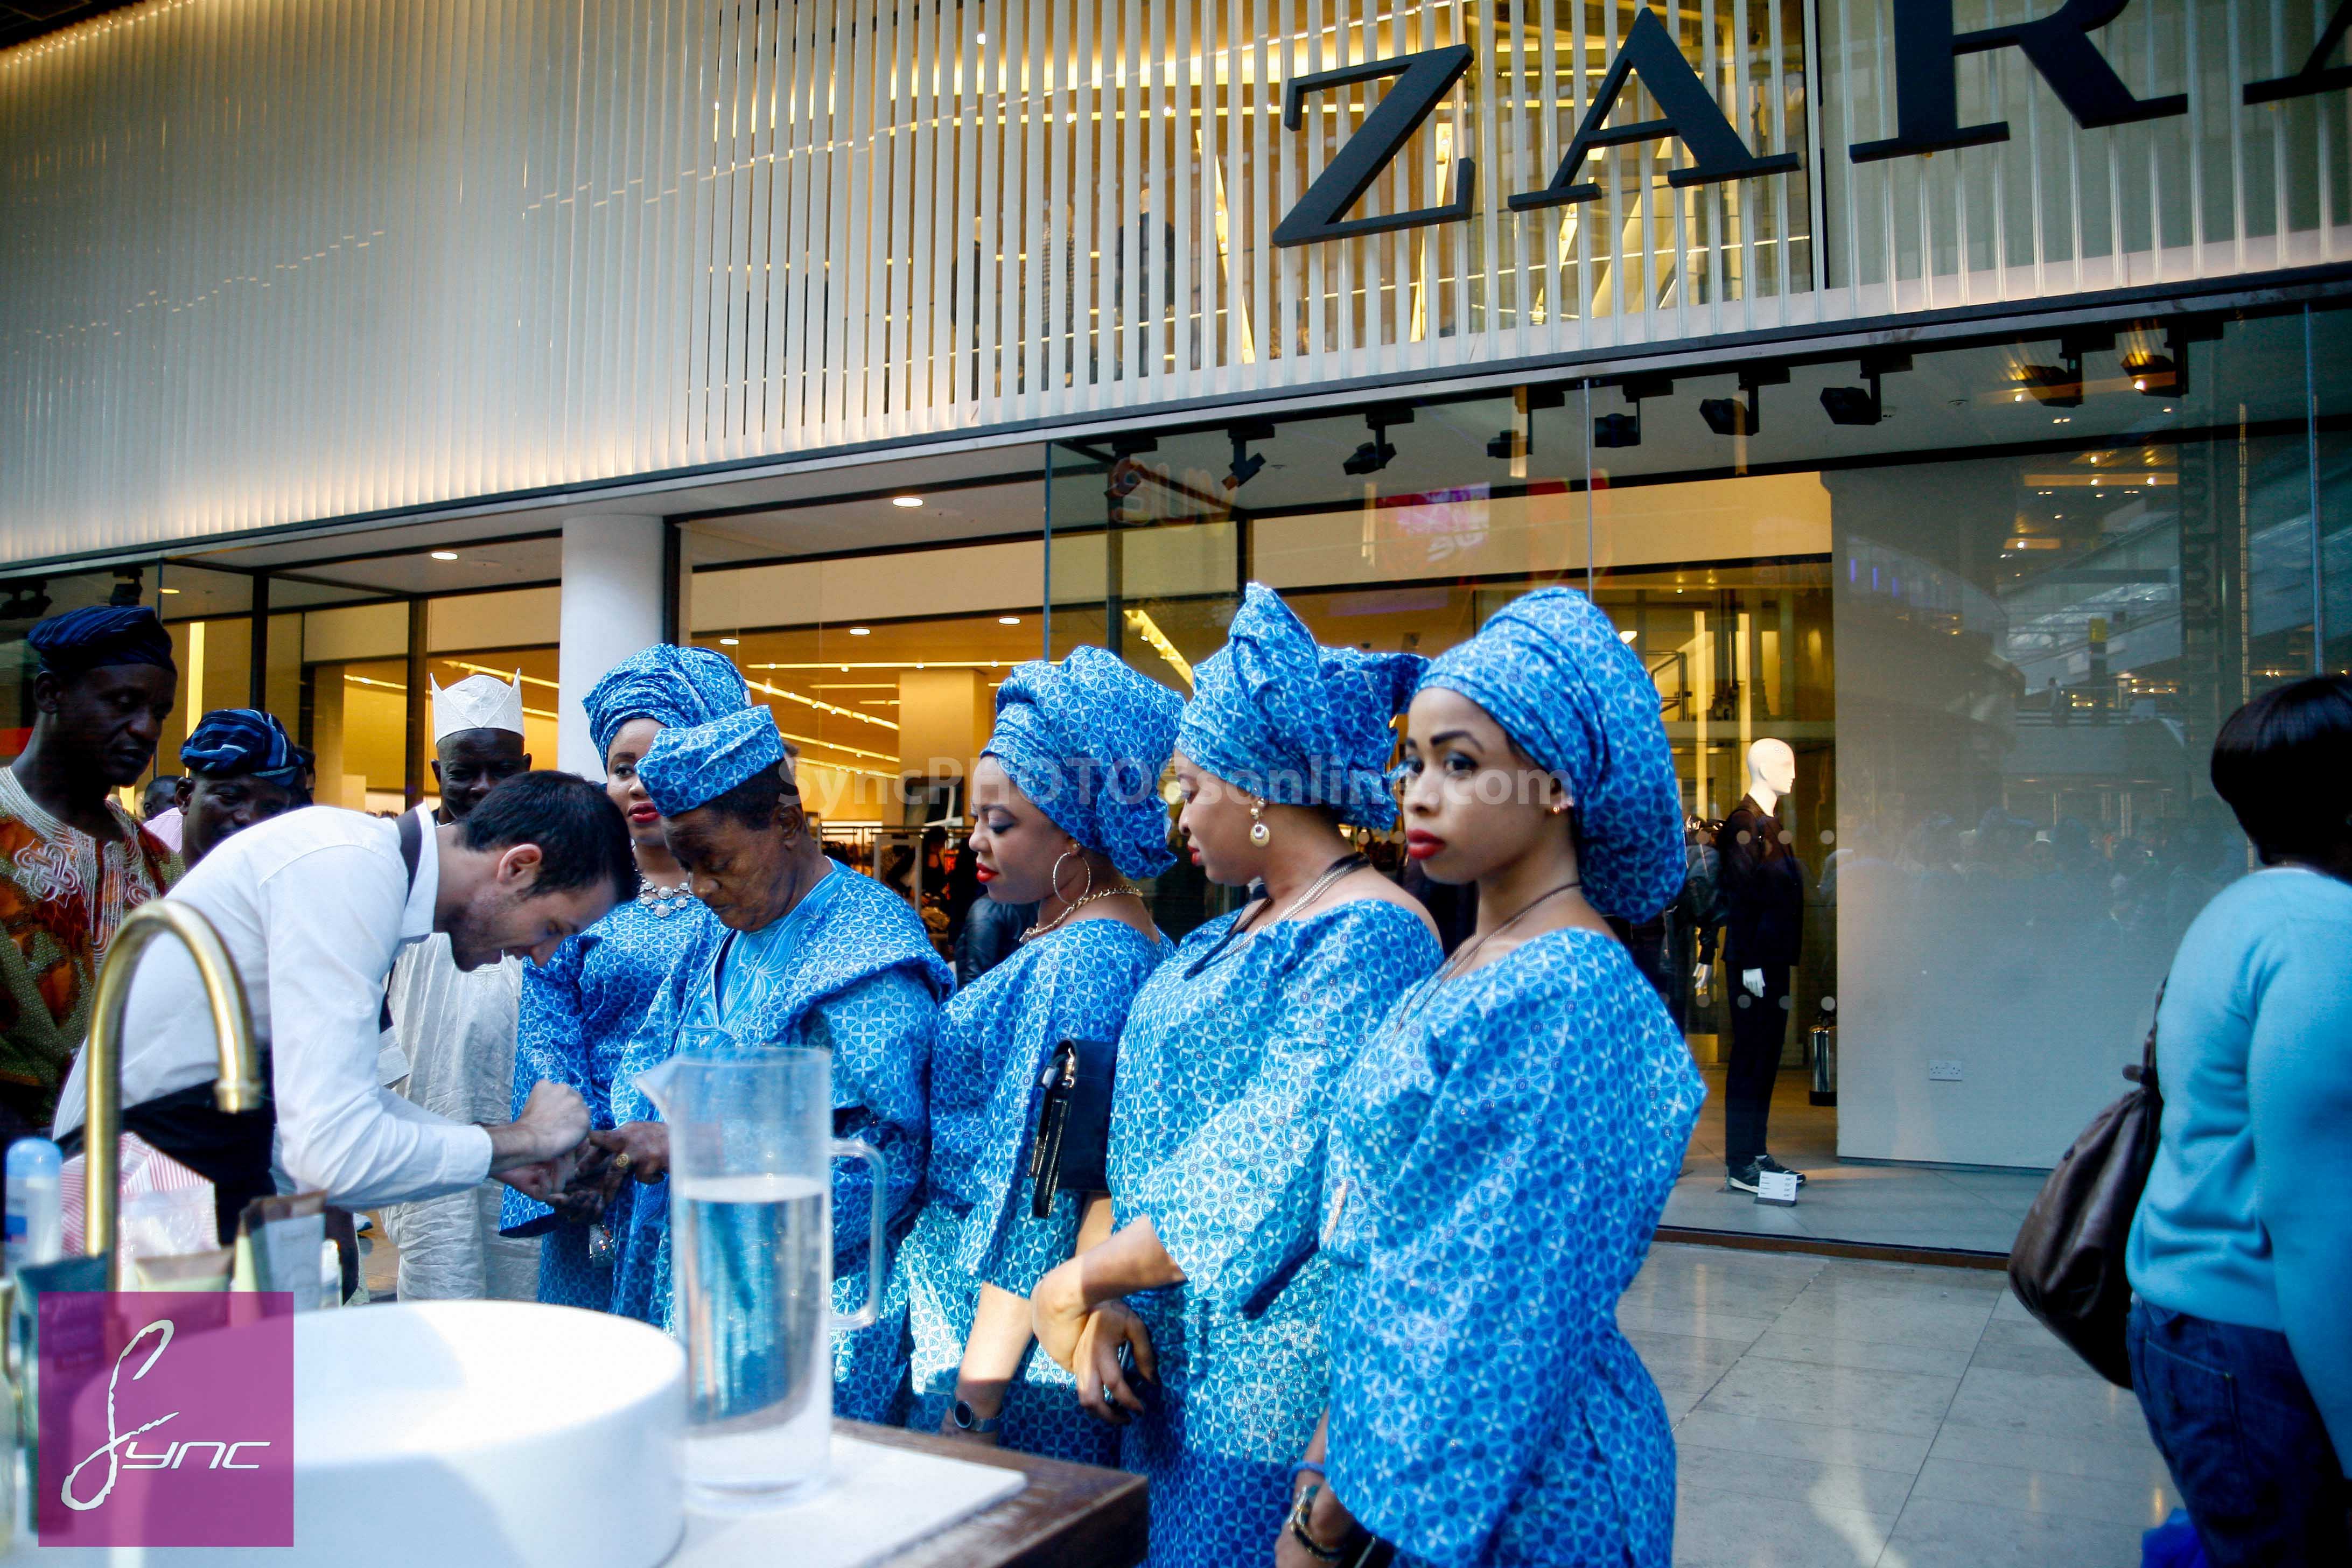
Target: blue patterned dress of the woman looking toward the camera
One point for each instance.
(1499, 1162)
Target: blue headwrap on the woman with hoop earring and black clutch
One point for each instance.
(1088, 742)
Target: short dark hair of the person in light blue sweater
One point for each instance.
(2285, 765)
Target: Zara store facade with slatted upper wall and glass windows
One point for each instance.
(1965, 410)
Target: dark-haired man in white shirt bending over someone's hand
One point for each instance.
(314, 909)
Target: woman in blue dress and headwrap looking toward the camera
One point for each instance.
(1511, 1134)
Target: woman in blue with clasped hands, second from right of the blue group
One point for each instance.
(1227, 1083)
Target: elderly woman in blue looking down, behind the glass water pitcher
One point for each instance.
(806, 953)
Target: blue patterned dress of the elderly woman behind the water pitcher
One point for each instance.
(850, 970)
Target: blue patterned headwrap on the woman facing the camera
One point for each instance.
(1553, 674)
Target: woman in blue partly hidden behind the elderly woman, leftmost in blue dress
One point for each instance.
(584, 1005)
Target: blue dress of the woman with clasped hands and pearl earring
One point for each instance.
(1227, 1085)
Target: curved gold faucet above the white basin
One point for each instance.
(232, 1026)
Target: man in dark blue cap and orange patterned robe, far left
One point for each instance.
(72, 862)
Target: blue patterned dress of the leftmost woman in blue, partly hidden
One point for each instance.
(580, 1010)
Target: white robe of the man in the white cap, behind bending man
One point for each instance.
(460, 1036)
